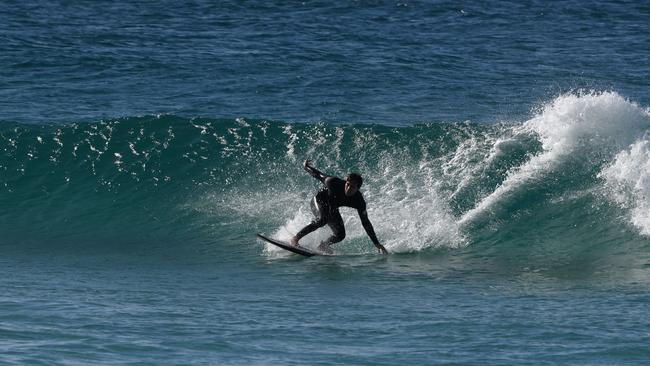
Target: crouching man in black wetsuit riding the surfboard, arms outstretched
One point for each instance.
(325, 206)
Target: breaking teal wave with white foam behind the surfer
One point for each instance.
(574, 177)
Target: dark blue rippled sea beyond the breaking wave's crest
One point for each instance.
(384, 62)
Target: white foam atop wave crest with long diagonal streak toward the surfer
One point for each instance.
(573, 123)
